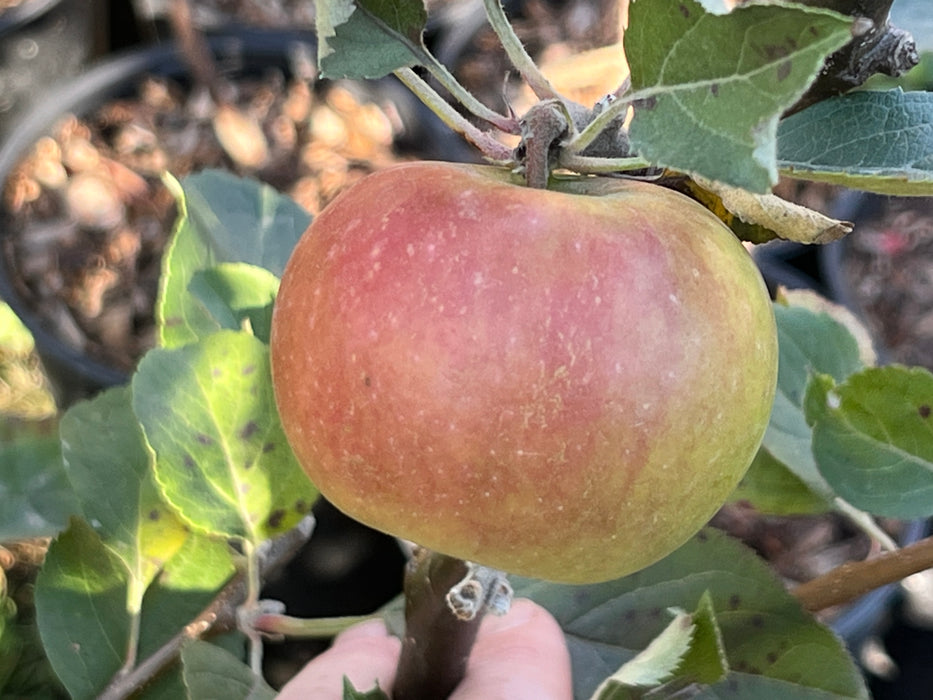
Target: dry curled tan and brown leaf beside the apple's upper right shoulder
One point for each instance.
(762, 217)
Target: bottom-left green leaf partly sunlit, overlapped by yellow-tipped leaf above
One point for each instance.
(81, 598)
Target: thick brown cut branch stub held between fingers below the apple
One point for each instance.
(445, 599)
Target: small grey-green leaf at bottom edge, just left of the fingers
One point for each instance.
(212, 672)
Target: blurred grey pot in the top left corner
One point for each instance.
(41, 41)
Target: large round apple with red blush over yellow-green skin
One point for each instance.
(559, 384)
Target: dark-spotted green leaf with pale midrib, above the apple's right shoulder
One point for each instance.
(712, 87)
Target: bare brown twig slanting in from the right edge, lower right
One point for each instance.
(854, 579)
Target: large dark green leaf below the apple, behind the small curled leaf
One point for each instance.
(764, 631)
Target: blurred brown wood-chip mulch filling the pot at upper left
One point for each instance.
(91, 214)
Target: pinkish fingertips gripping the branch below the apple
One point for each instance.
(518, 656)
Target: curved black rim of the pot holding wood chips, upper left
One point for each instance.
(72, 372)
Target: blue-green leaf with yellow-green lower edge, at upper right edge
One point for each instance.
(875, 141)
